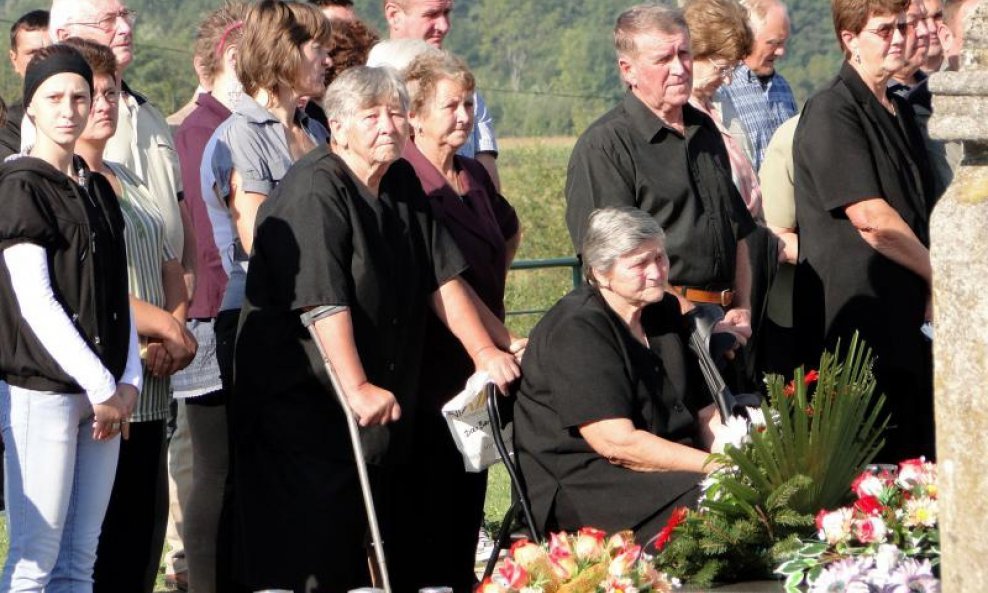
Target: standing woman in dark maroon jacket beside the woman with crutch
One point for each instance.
(444, 522)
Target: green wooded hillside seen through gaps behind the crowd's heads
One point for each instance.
(546, 67)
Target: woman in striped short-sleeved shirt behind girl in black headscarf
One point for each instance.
(157, 293)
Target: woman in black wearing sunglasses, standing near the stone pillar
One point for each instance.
(862, 189)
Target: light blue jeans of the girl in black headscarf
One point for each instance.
(58, 486)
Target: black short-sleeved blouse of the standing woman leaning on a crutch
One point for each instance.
(322, 239)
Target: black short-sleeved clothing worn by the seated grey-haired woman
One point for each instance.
(583, 365)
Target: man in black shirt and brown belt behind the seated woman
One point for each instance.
(655, 152)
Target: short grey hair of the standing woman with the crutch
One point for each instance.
(361, 87)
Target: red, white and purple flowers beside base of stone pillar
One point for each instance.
(886, 541)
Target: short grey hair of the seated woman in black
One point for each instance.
(613, 232)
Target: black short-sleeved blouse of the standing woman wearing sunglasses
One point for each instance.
(848, 148)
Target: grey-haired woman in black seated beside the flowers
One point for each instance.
(611, 430)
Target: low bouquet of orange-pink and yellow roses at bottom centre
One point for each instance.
(585, 562)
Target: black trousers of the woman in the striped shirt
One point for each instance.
(132, 538)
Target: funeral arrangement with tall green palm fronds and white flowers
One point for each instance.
(793, 457)
